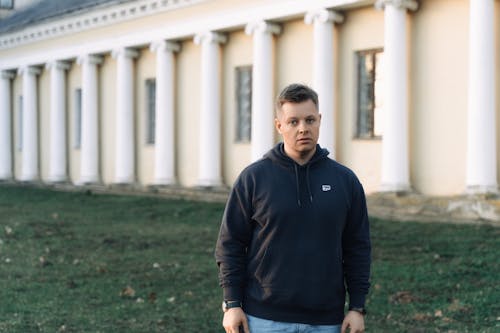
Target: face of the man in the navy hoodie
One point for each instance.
(299, 123)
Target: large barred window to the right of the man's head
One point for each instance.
(370, 94)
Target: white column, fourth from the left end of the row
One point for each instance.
(89, 156)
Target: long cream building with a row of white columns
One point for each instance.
(180, 92)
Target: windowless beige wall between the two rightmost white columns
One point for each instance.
(438, 91)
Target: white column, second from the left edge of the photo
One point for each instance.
(29, 168)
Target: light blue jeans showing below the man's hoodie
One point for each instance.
(258, 325)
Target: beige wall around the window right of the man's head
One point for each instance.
(362, 30)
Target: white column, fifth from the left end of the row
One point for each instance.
(124, 139)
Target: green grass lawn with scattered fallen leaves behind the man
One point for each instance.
(81, 262)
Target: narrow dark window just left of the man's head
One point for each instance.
(243, 103)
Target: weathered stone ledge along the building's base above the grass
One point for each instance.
(471, 209)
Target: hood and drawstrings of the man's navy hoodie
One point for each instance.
(277, 155)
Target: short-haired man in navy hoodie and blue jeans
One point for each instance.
(294, 234)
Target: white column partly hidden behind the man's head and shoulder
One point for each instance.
(323, 72)
